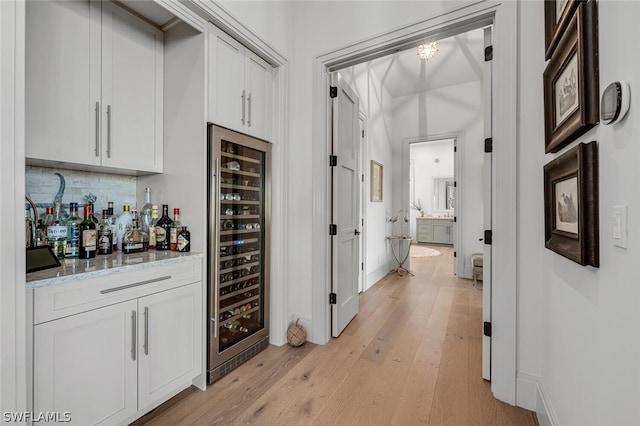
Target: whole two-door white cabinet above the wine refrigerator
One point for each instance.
(239, 86)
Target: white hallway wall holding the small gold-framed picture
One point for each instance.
(376, 104)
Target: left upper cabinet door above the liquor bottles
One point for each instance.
(62, 81)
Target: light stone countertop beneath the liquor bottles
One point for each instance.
(101, 265)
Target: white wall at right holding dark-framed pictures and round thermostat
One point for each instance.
(578, 326)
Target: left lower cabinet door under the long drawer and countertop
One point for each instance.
(85, 365)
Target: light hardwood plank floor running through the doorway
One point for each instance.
(412, 356)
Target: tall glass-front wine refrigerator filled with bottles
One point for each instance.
(238, 248)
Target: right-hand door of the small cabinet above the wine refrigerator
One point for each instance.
(258, 86)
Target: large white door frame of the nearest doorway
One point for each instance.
(504, 18)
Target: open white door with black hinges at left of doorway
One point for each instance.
(345, 205)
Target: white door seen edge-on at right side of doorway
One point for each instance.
(486, 268)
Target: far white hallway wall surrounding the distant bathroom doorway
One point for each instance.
(455, 109)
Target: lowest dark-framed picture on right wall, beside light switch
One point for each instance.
(571, 204)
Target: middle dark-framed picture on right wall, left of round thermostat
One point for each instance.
(570, 81)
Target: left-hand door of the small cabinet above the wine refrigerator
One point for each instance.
(227, 94)
